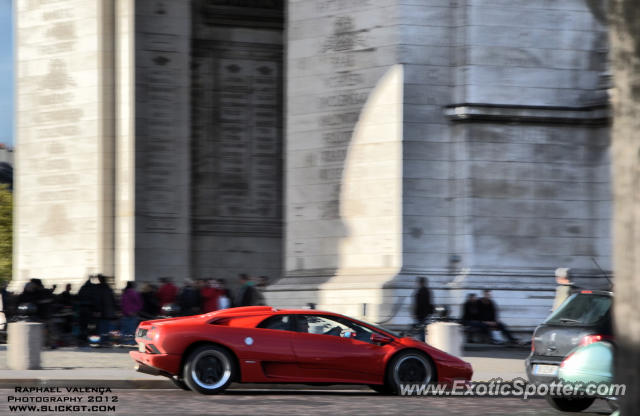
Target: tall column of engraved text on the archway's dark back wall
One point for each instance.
(248, 141)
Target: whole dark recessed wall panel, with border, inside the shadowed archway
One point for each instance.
(237, 135)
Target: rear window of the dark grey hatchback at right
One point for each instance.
(581, 309)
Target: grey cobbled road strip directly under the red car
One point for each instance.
(245, 402)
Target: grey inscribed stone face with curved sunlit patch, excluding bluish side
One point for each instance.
(343, 153)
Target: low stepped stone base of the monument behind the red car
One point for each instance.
(385, 297)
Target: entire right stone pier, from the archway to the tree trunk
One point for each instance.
(503, 163)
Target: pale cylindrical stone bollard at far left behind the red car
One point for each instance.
(24, 342)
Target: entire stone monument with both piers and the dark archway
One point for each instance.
(346, 150)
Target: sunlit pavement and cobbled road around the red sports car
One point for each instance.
(137, 394)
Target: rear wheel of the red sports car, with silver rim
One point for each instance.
(209, 370)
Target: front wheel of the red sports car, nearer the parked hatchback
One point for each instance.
(409, 368)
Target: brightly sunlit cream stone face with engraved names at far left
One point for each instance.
(57, 136)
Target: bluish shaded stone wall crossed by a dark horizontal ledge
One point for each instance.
(531, 129)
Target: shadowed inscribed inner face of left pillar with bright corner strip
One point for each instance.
(161, 164)
